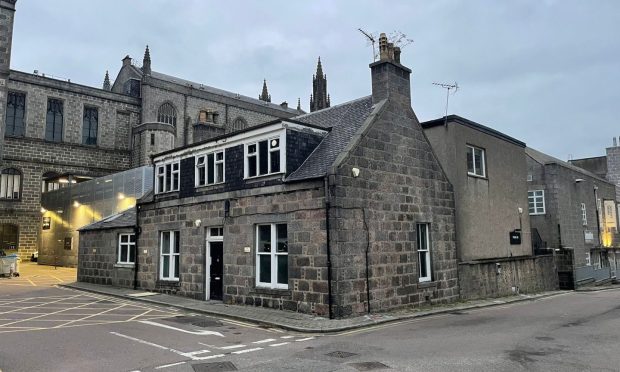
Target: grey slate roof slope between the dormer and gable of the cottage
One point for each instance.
(344, 120)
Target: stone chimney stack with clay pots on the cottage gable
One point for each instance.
(390, 79)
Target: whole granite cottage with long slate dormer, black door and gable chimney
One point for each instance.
(339, 212)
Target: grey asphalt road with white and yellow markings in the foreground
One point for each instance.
(56, 329)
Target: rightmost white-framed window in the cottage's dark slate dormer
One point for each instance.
(263, 157)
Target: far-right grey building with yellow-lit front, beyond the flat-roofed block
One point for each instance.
(574, 213)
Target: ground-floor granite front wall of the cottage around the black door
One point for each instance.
(300, 206)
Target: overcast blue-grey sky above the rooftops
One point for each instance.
(545, 72)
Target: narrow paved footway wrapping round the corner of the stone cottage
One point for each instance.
(291, 321)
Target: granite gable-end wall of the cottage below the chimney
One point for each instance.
(400, 184)
